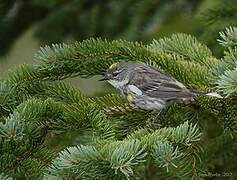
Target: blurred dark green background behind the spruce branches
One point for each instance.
(25, 25)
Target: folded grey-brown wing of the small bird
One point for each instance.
(156, 83)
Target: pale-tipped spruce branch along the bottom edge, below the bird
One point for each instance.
(122, 157)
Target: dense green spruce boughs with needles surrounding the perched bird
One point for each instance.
(112, 138)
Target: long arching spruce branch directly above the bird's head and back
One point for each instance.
(92, 57)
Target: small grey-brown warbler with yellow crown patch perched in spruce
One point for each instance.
(148, 87)
